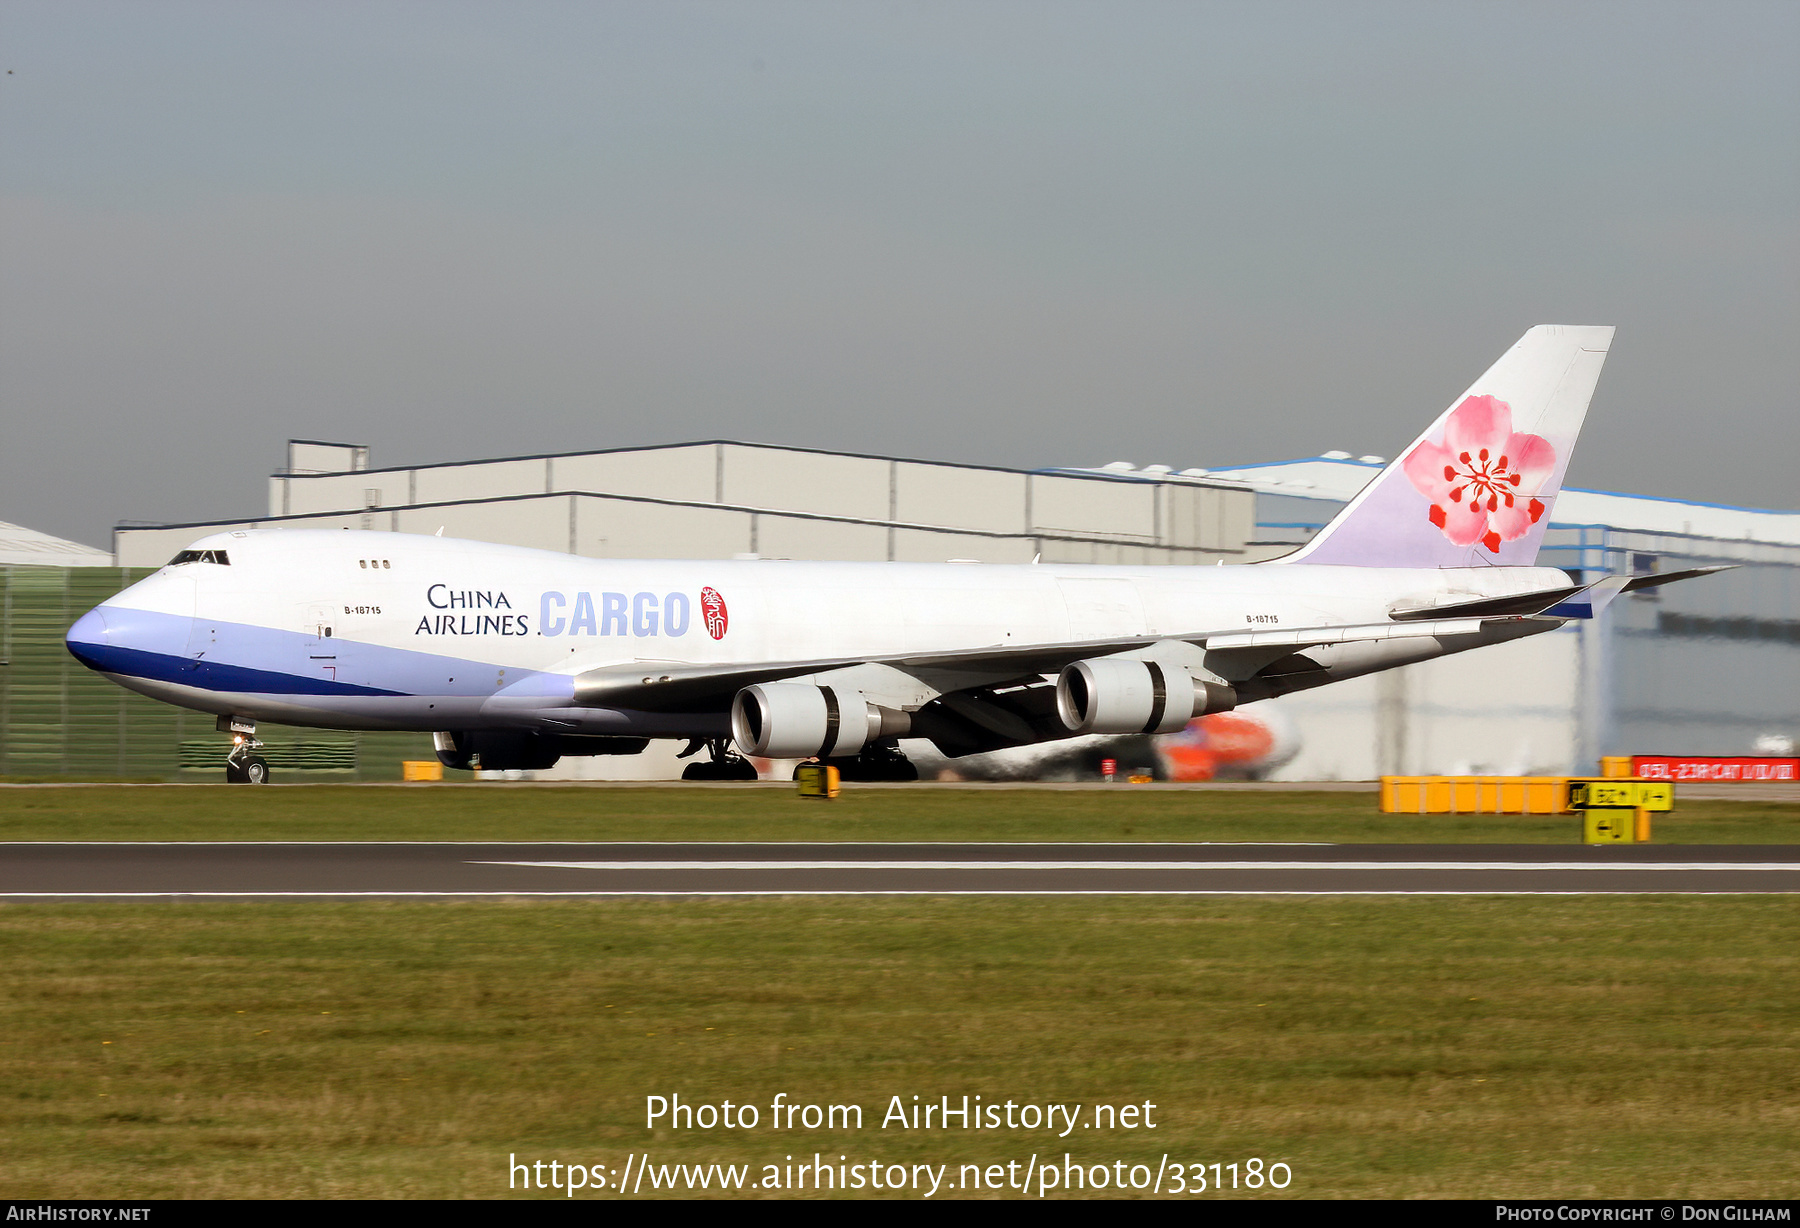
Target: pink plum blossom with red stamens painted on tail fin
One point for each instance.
(1482, 482)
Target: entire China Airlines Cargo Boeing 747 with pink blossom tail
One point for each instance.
(516, 658)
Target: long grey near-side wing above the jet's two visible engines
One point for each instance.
(652, 687)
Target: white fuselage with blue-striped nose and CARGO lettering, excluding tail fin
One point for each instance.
(384, 631)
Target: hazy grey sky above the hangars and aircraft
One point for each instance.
(1020, 235)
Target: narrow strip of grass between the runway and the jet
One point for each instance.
(926, 813)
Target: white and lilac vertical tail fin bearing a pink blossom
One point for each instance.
(1477, 489)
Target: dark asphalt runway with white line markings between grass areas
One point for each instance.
(314, 871)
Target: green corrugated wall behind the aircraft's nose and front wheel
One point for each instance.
(62, 719)
